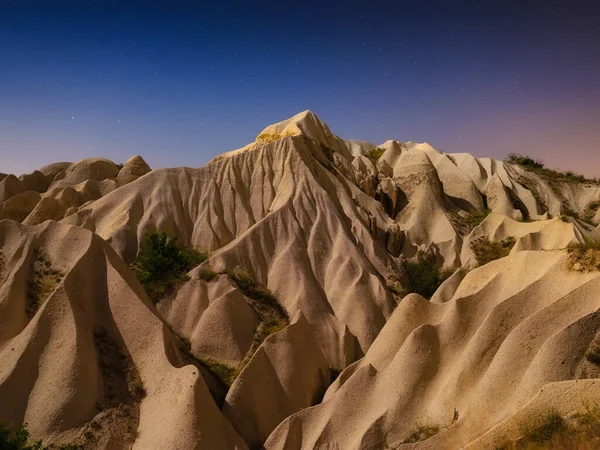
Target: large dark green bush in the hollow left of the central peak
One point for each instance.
(162, 263)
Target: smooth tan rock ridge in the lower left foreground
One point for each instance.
(52, 375)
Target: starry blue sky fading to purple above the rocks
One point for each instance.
(179, 82)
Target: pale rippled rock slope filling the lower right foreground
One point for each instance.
(513, 329)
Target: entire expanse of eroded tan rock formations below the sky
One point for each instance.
(325, 229)
